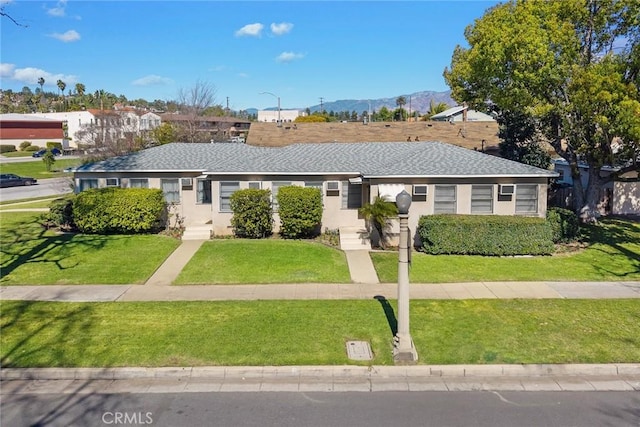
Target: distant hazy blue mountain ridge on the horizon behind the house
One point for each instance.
(420, 101)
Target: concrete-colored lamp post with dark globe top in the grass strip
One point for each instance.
(404, 351)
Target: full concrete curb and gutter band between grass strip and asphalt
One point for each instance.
(590, 377)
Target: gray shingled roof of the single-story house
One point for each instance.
(370, 159)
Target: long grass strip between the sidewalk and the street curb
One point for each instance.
(40, 334)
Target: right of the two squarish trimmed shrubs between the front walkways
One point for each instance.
(300, 210)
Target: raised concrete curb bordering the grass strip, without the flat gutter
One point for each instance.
(629, 370)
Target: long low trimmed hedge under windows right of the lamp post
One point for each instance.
(490, 235)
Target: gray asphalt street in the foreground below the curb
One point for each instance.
(352, 409)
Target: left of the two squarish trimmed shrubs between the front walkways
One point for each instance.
(252, 213)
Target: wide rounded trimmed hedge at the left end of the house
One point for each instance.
(119, 210)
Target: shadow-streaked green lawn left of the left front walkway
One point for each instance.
(31, 255)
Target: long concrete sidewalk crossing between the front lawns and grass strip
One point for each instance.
(321, 291)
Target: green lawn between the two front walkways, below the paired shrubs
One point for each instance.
(265, 261)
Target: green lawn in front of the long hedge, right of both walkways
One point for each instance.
(613, 254)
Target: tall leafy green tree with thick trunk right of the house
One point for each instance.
(572, 67)
